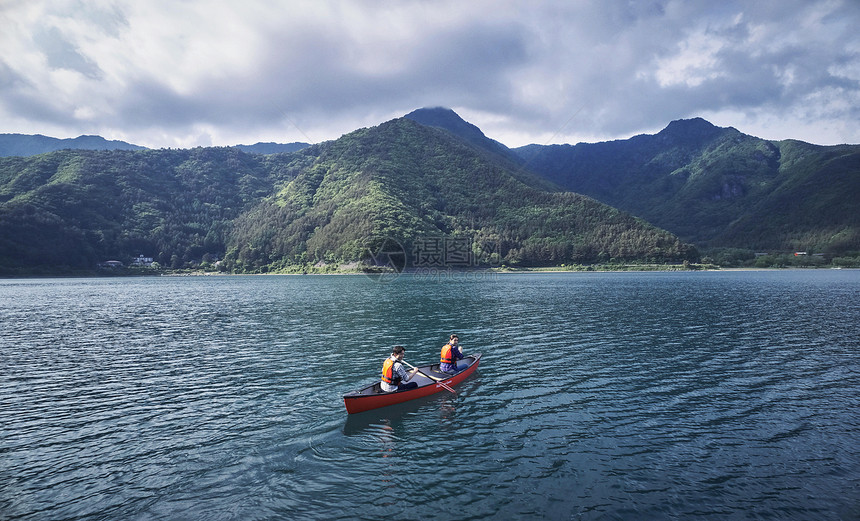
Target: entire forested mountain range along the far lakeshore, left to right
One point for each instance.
(420, 181)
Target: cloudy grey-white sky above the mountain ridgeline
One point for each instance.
(174, 73)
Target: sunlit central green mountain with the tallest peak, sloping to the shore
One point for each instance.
(417, 185)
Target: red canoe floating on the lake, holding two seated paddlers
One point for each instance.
(373, 397)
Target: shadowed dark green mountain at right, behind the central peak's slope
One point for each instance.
(717, 187)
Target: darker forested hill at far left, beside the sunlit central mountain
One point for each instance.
(73, 209)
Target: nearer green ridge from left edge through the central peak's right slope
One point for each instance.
(420, 187)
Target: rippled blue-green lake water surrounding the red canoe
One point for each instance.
(720, 395)
